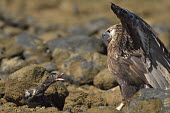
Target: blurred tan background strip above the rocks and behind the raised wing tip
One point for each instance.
(69, 13)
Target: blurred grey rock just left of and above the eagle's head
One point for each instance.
(96, 25)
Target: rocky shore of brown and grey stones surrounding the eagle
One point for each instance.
(30, 52)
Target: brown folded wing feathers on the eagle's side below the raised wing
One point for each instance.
(134, 69)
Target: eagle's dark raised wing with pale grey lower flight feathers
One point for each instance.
(156, 56)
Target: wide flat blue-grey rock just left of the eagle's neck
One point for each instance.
(78, 44)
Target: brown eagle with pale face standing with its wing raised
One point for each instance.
(136, 56)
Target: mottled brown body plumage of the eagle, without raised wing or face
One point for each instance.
(125, 63)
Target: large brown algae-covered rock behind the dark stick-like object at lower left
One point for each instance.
(21, 80)
